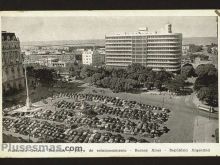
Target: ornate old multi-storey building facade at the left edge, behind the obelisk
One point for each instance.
(12, 63)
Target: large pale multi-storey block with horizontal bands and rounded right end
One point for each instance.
(158, 50)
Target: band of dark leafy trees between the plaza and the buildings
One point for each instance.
(135, 77)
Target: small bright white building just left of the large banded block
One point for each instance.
(92, 57)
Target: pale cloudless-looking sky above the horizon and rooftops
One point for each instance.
(85, 27)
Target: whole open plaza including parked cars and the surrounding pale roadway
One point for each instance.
(97, 115)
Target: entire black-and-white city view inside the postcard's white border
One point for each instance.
(109, 79)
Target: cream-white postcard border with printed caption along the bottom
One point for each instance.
(214, 147)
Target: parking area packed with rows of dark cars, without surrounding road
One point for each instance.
(64, 118)
